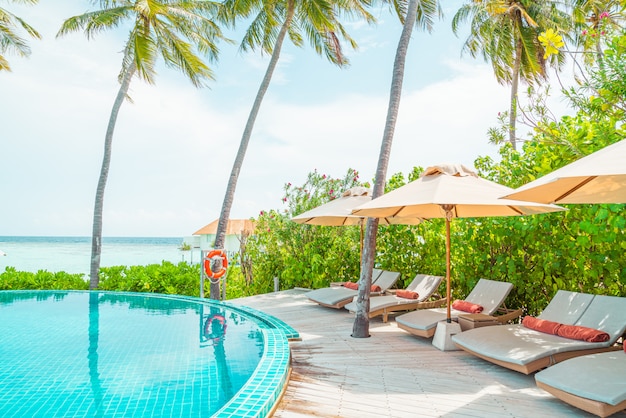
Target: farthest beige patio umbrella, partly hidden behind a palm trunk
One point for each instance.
(338, 212)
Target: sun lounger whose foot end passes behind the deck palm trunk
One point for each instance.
(424, 285)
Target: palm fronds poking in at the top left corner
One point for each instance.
(10, 41)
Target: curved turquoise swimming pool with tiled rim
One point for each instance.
(74, 354)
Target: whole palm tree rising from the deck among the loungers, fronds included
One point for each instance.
(419, 13)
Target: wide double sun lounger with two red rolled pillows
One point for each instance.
(527, 350)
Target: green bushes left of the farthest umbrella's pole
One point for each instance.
(304, 255)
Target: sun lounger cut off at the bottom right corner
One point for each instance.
(595, 383)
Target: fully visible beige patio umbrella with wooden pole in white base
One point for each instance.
(449, 191)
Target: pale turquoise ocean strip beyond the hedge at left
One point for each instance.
(72, 254)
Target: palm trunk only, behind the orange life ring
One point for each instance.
(220, 237)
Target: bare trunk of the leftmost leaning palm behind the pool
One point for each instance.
(96, 237)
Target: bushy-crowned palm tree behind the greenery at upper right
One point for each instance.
(505, 32)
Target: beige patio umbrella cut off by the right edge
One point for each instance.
(596, 178)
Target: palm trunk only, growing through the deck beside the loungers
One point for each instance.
(360, 328)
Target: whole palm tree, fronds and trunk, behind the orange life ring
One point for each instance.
(272, 21)
